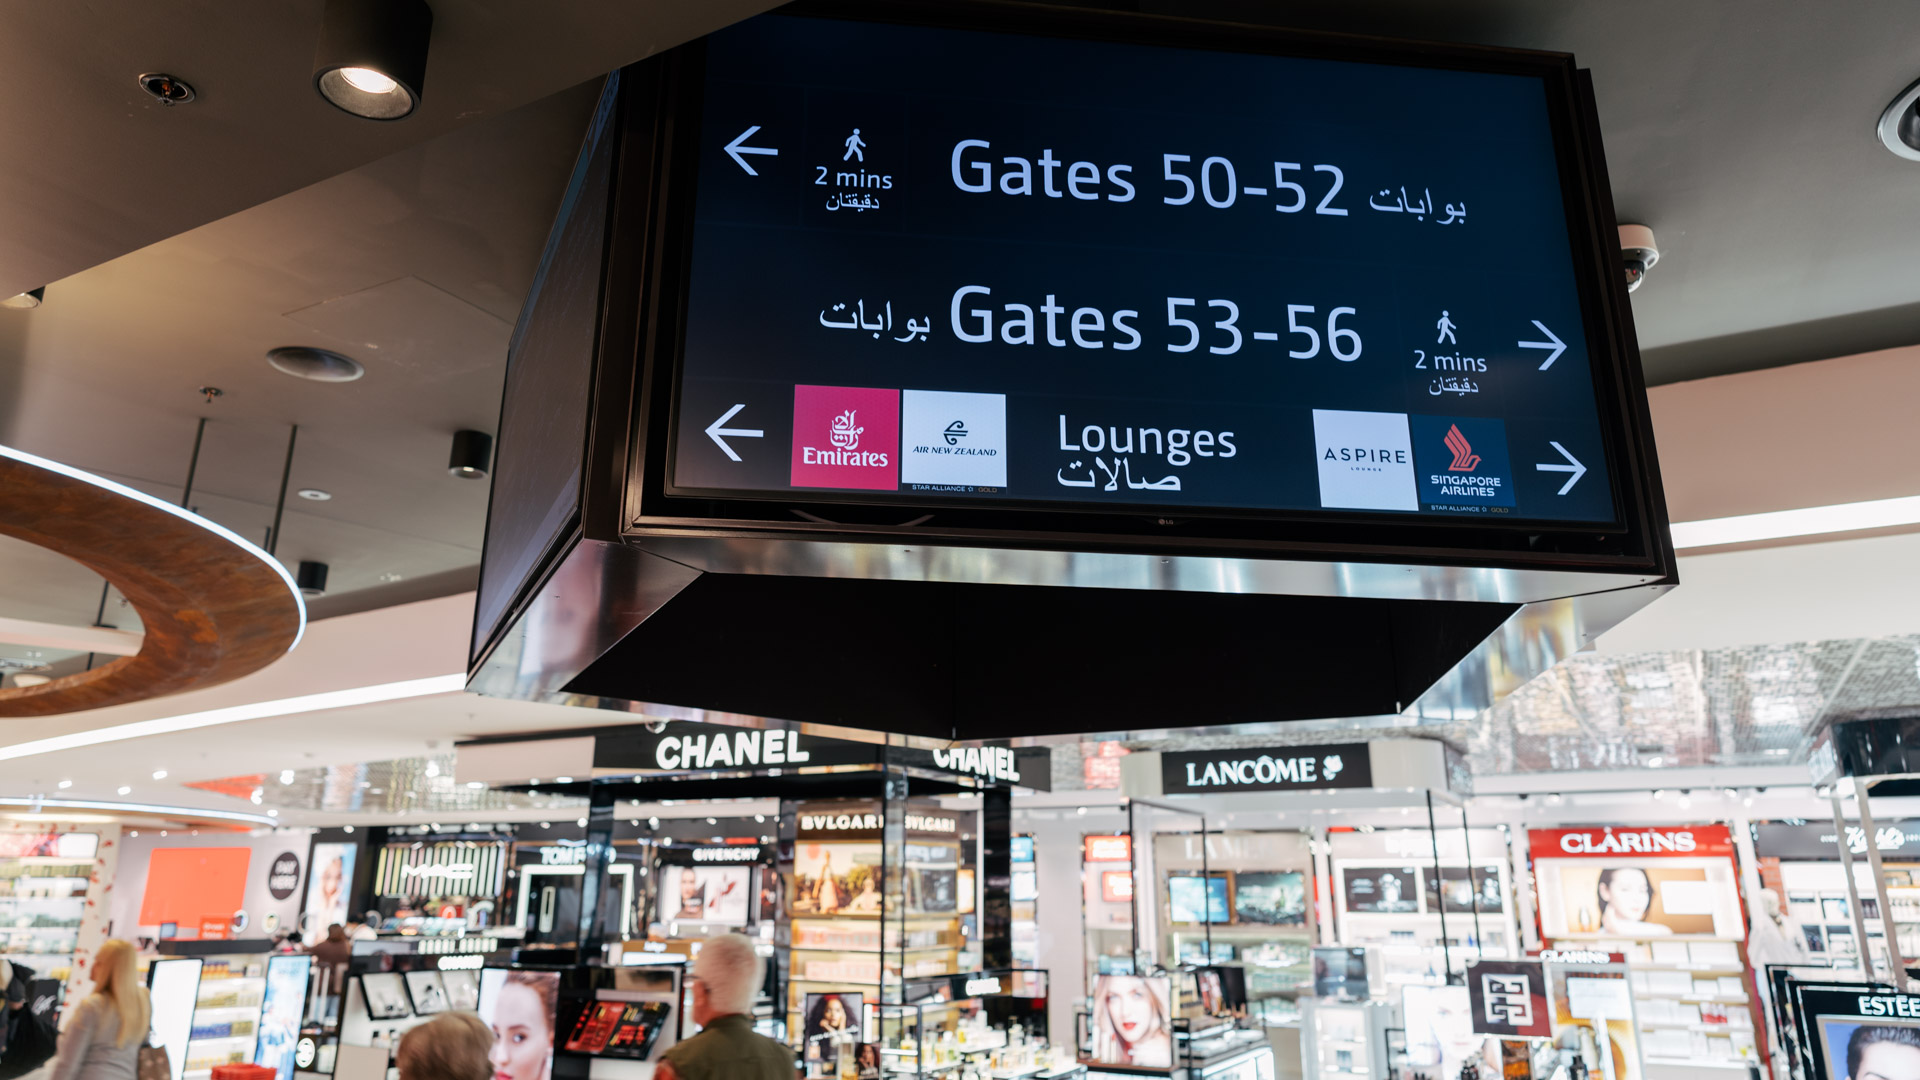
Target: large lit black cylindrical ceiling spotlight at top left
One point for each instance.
(373, 57)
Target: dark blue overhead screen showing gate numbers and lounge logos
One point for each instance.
(957, 268)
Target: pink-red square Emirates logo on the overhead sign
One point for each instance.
(846, 437)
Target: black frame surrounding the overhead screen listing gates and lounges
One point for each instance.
(1633, 543)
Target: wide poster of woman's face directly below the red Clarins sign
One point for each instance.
(1639, 898)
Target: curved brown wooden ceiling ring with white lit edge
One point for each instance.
(214, 606)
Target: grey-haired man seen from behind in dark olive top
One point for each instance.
(727, 975)
